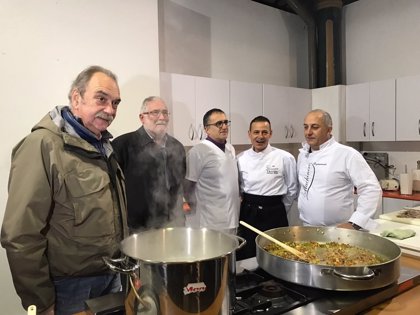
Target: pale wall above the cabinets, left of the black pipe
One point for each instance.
(237, 40)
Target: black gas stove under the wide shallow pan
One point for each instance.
(257, 292)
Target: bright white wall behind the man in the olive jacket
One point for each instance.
(44, 45)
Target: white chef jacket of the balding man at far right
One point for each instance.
(327, 178)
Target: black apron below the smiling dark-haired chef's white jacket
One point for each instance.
(262, 212)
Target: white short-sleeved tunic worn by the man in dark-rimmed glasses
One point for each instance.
(217, 186)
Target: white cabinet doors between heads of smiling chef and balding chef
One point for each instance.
(286, 108)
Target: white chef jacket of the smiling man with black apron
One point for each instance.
(271, 172)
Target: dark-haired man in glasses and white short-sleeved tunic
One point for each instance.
(212, 178)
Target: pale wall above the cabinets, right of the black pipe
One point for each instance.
(382, 39)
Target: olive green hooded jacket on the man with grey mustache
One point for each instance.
(66, 209)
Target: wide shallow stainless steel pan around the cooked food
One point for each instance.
(327, 277)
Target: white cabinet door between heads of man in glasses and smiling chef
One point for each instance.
(245, 105)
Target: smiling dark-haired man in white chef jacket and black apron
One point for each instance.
(268, 184)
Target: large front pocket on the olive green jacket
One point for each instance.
(92, 200)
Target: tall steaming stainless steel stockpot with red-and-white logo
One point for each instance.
(185, 270)
